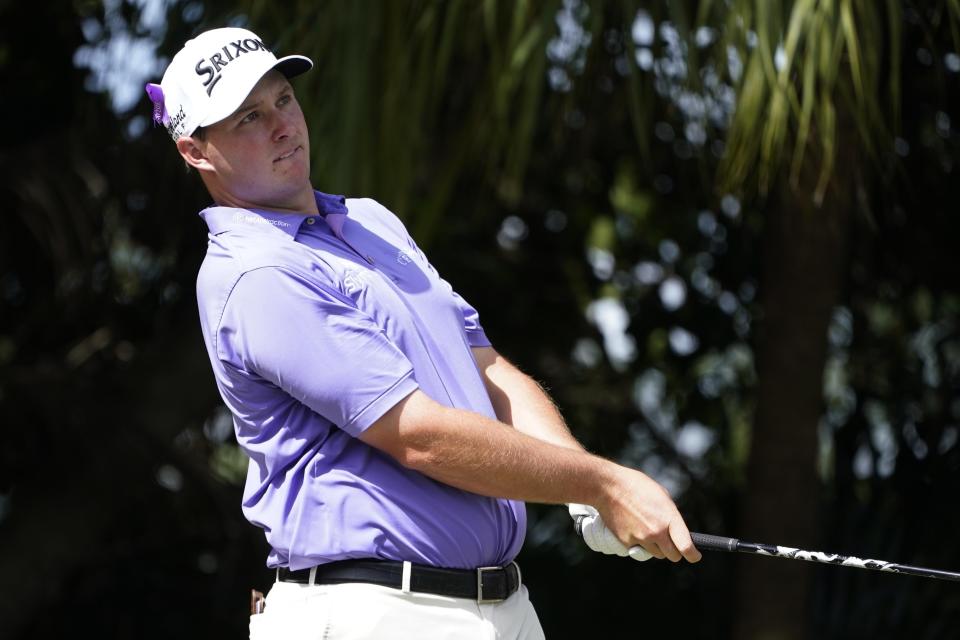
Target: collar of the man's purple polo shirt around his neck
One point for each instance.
(332, 208)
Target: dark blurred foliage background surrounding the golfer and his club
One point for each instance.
(723, 234)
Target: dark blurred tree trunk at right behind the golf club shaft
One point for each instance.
(805, 258)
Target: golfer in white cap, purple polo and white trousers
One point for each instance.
(391, 447)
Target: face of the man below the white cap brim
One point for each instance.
(260, 156)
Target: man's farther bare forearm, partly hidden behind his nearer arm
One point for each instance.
(520, 402)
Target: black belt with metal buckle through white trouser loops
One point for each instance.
(485, 584)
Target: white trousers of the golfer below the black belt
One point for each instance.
(353, 611)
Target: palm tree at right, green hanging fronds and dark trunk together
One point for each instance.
(818, 104)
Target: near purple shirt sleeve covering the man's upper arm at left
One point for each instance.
(313, 343)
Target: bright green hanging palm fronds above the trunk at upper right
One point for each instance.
(804, 62)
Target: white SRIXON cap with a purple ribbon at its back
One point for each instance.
(211, 77)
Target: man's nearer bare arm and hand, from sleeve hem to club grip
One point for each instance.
(474, 453)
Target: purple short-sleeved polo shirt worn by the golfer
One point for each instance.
(315, 327)
